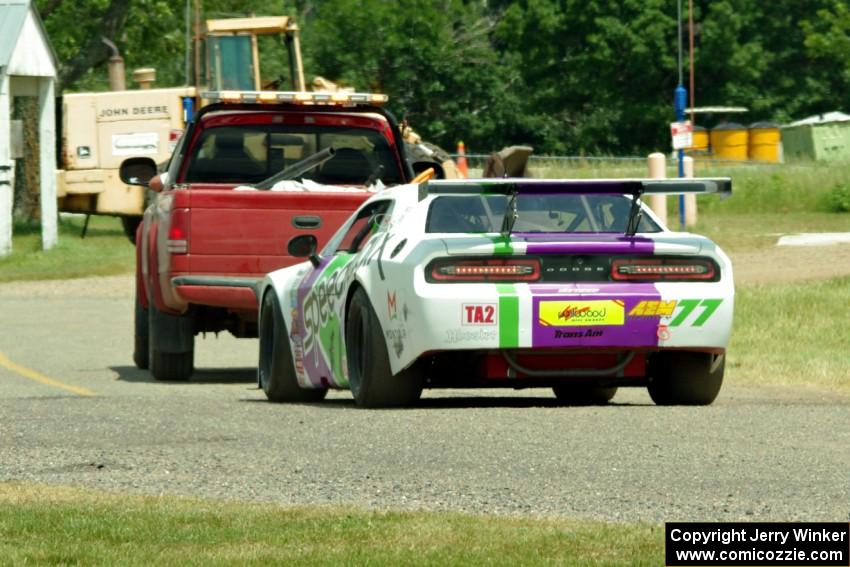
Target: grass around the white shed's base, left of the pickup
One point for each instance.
(104, 251)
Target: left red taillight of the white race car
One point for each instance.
(489, 270)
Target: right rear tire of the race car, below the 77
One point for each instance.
(686, 378)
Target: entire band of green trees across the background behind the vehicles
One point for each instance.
(566, 76)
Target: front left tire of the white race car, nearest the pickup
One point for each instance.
(276, 371)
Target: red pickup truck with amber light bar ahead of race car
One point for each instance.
(204, 244)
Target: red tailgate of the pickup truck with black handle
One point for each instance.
(246, 232)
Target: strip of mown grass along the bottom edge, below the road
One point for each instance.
(56, 525)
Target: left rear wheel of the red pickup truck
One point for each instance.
(171, 345)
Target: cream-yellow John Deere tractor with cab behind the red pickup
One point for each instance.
(100, 130)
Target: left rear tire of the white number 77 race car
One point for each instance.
(369, 375)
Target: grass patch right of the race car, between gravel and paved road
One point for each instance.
(792, 334)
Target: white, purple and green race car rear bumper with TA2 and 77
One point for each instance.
(612, 317)
